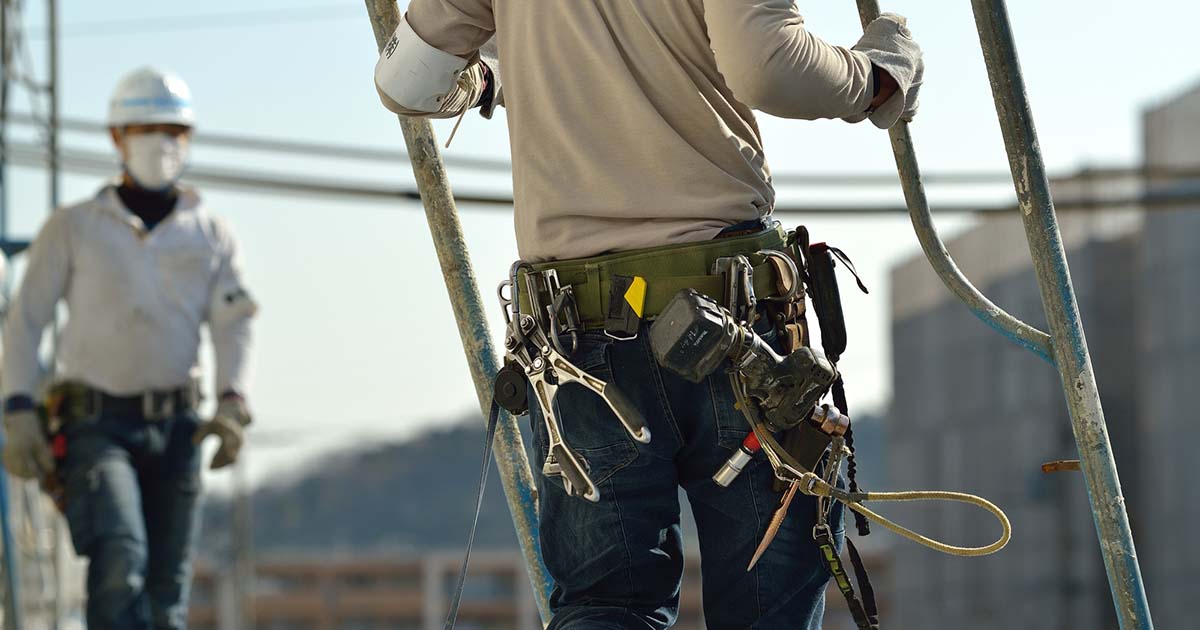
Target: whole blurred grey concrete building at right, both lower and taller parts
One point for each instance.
(975, 413)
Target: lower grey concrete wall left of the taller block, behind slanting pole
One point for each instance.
(975, 413)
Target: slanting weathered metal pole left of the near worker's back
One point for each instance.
(469, 310)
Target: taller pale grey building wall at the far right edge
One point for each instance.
(1169, 363)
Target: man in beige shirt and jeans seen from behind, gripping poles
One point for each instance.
(635, 152)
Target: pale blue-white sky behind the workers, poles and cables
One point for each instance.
(356, 341)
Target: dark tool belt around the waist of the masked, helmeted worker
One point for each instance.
(71, 400)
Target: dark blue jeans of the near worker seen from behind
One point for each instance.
(619, 563)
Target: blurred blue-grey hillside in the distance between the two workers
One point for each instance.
(415, 495)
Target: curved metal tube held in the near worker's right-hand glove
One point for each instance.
(1018, 332)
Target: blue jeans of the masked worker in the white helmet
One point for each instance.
(133, 491)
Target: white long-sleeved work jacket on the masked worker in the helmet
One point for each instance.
(136, 299)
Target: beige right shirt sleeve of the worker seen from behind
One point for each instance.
(773, 64)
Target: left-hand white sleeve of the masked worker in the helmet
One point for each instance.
(45, 284)
